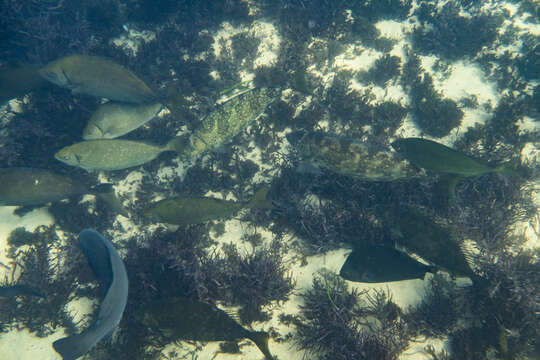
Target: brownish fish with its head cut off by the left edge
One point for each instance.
(22, 186)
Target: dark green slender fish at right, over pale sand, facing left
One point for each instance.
(436, 157)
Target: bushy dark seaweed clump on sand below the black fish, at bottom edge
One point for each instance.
(338, 323)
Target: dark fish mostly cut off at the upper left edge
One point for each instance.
(18, 79)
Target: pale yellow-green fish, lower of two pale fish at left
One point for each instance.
(112, 154)
